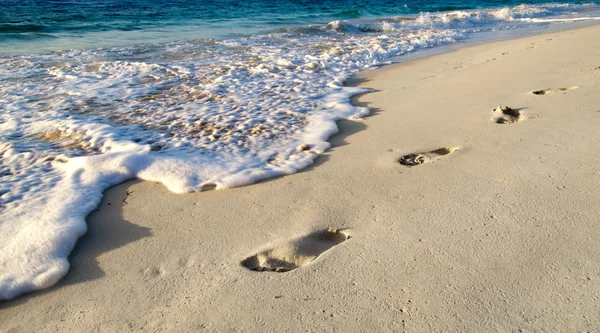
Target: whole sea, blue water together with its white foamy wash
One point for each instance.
(193, 94)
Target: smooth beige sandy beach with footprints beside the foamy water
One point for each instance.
(500, 234)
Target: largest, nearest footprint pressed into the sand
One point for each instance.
(296, 252)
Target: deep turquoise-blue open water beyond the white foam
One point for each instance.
(33, 25)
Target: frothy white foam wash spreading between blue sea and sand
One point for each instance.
(223, 112)
